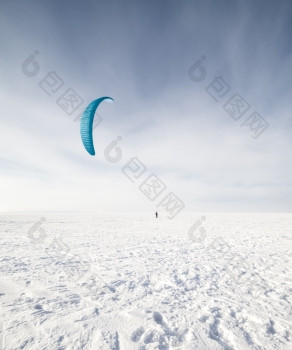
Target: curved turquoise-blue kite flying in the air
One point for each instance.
(87, 122)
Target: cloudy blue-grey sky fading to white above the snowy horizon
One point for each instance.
(178, 72)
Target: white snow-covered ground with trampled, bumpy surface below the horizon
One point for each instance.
(84, 281)
